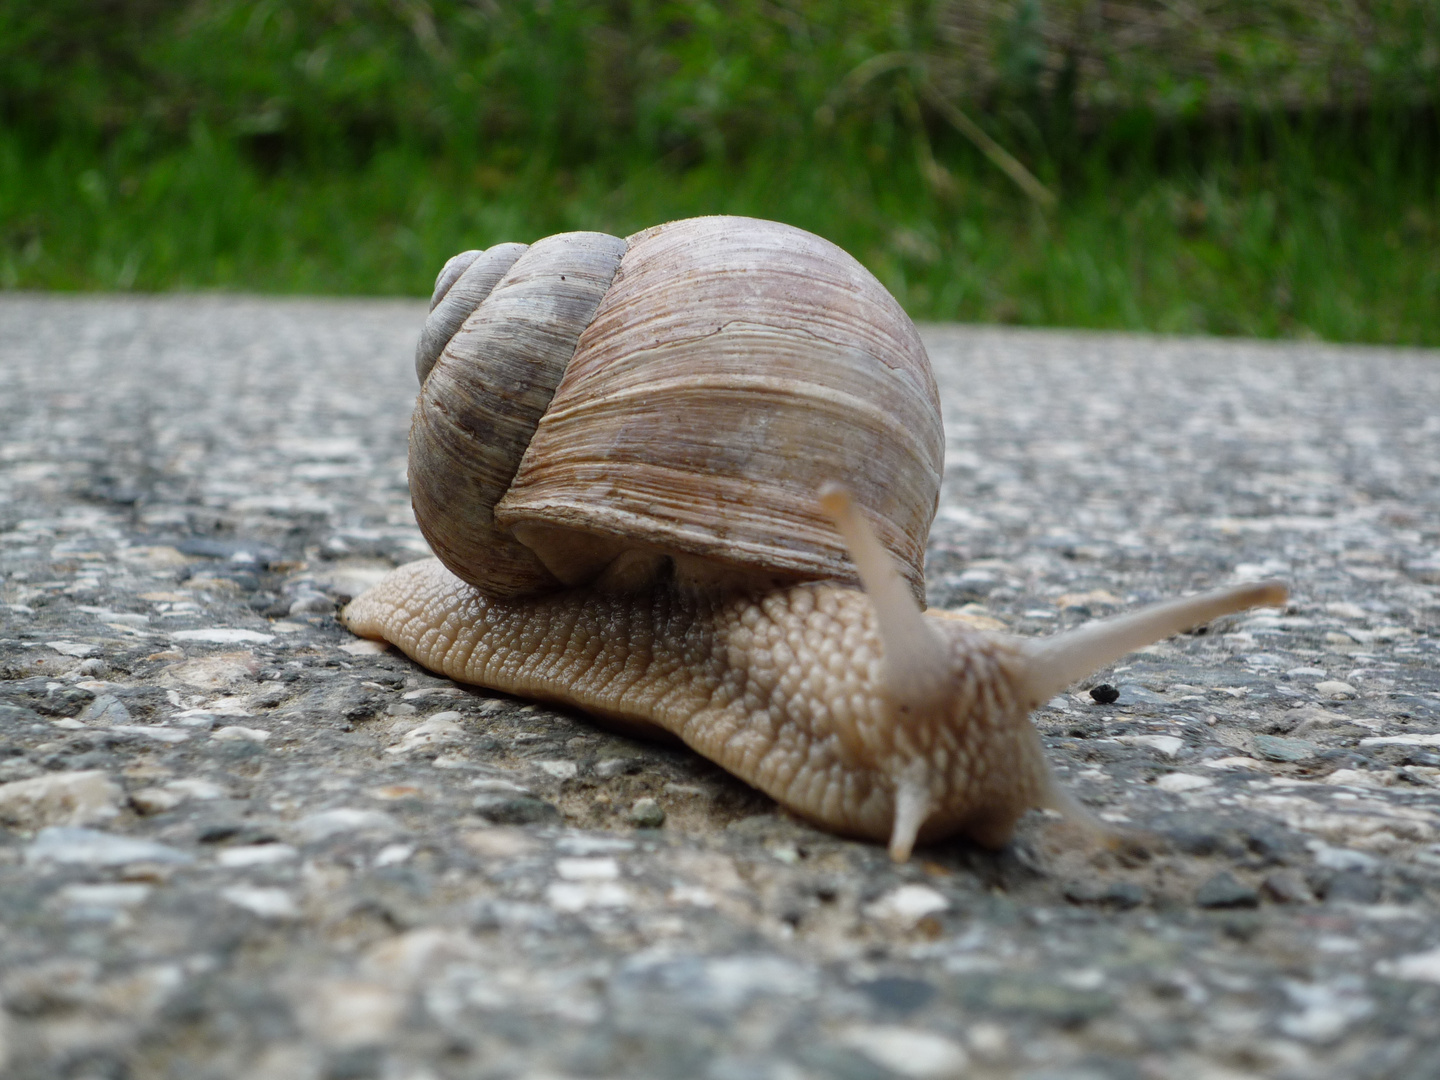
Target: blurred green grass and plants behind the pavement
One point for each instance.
(1228, 166)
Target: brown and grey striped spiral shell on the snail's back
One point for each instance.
(683, 391)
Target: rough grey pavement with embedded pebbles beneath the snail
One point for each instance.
(238, 843)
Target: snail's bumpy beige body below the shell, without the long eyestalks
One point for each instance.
(783, 689)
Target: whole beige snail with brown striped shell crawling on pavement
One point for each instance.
(685, 482)
